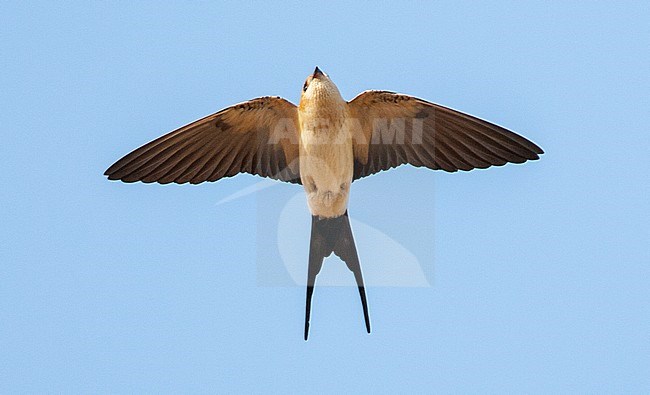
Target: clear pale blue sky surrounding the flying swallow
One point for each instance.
(539, 273)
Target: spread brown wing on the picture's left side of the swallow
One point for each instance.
(259, 136)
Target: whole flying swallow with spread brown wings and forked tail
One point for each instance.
(325, 143)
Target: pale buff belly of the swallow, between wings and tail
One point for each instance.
(326, 166)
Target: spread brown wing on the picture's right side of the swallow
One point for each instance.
(393, 129)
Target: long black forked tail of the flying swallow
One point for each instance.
(333, 235)
